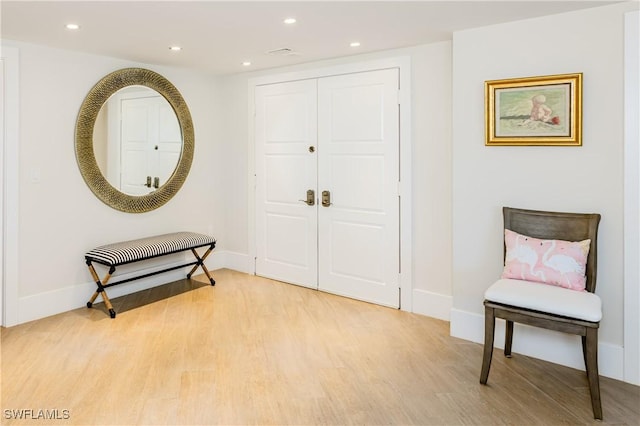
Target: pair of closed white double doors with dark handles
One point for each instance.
(338, 136)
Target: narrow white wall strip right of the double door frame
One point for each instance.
(432, 181)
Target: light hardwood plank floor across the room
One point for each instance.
(256, 351)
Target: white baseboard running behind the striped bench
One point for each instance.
(73, 297)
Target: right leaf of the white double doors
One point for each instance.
(359, 164)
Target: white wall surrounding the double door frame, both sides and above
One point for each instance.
(431, 165)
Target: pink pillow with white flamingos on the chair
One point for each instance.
(554, 262)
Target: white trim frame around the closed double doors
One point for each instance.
(404, 65)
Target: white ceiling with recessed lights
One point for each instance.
(217, 37)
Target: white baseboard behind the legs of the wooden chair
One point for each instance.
(552, 346)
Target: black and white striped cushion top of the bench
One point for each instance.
(146, 248)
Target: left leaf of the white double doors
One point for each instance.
(286, 228)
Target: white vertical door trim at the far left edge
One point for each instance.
(10, 204)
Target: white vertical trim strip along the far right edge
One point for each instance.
(632, 200)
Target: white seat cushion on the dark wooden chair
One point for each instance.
(546, 298)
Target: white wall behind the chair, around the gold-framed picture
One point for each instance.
(581, 179)
